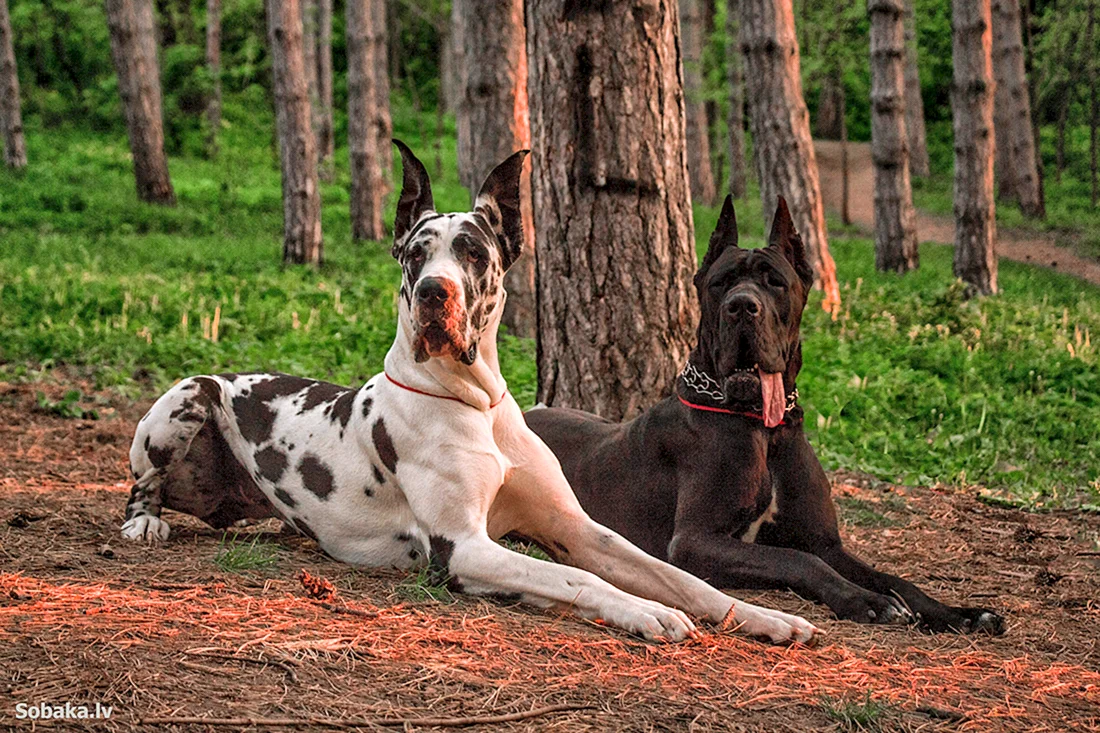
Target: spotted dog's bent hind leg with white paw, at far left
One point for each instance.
(161, 443)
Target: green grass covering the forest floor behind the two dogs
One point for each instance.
(911, 384)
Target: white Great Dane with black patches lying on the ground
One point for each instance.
(431, 461)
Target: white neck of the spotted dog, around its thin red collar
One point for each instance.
(479, 385)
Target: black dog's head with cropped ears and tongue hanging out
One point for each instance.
(752, 304)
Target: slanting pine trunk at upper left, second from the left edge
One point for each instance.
(134, 51)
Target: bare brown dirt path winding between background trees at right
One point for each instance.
(1011, 244)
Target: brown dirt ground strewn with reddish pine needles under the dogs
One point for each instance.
(159, 632)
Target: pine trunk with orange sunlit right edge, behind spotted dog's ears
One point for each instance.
(494, 123)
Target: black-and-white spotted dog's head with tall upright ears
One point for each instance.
(454, 265)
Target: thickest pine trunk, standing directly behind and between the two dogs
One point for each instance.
(617, 248)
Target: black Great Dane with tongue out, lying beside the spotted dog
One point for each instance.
(719, 478)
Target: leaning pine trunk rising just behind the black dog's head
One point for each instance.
(784, 150)
